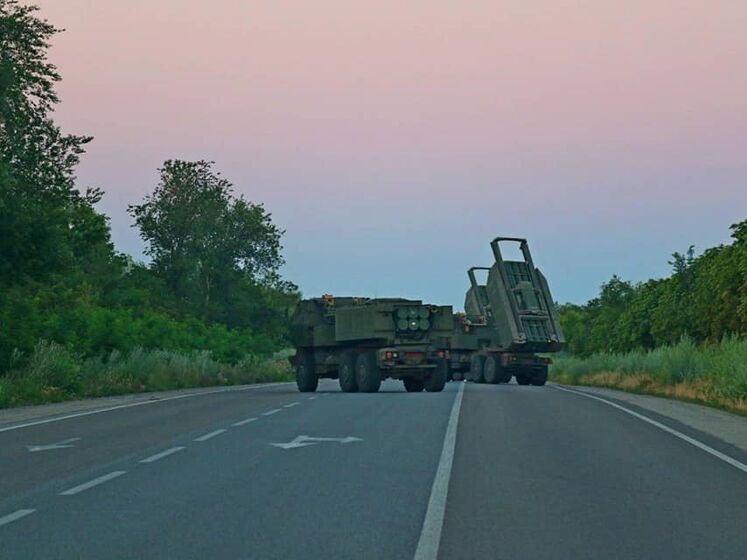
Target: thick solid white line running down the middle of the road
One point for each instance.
(430, 535)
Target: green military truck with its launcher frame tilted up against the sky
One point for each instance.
(506, 322)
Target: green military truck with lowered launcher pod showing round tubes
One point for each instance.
(361, 341)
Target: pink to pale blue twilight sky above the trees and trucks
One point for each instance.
(392, 140)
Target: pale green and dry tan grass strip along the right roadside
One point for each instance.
(715, 375)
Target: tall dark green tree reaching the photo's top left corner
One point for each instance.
(41, 212)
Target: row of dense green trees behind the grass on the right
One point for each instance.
(704, 300)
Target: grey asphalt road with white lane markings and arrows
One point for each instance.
(477, 471)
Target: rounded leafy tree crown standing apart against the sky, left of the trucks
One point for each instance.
(203, 240)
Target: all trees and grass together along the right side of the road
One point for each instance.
(684, 336)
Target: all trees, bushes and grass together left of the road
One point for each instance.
(79, 319)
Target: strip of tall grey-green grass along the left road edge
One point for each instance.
(51, 374)
